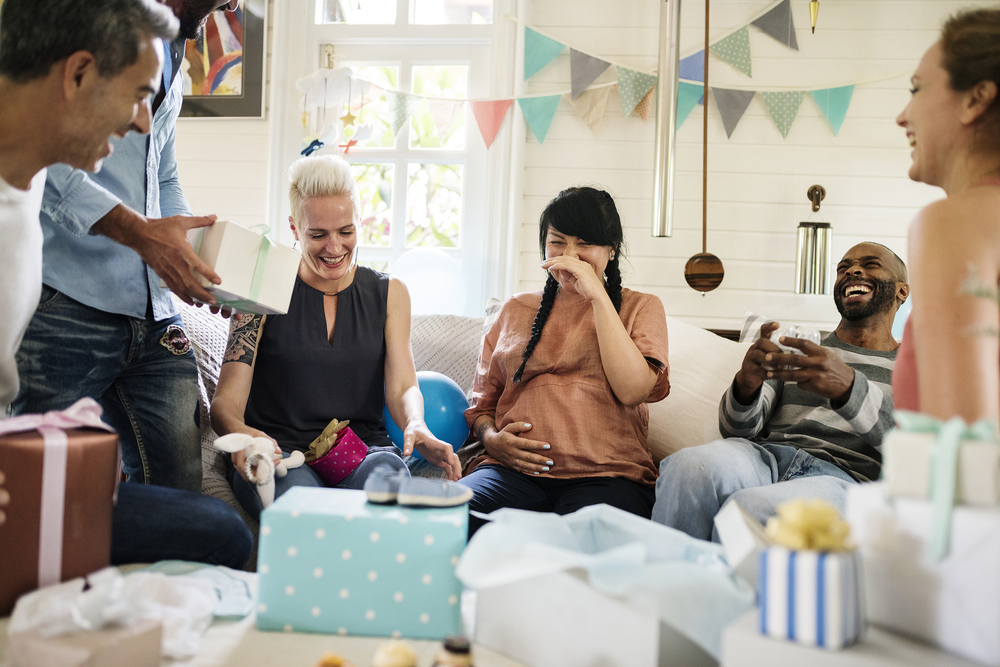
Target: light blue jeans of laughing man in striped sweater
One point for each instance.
(695, 482)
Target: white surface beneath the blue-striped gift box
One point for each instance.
(744, 646)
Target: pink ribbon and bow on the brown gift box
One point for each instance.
(85, 413)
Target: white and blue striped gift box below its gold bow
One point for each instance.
(810, 597)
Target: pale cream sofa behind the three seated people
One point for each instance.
(702, 364)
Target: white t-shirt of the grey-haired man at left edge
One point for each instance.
(20, 274)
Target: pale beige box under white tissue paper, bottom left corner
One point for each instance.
(135, 646)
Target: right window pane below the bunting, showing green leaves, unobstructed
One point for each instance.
(434, 205)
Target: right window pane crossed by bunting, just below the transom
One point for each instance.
(450, 81)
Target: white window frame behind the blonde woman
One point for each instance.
(487, 252)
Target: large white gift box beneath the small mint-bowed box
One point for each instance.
(955, 602)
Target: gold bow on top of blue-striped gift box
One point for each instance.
(814, 525)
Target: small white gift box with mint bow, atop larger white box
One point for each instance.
(906, 468)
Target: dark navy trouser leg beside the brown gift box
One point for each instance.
(153, 523)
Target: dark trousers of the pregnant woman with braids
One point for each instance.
(495, 486)
